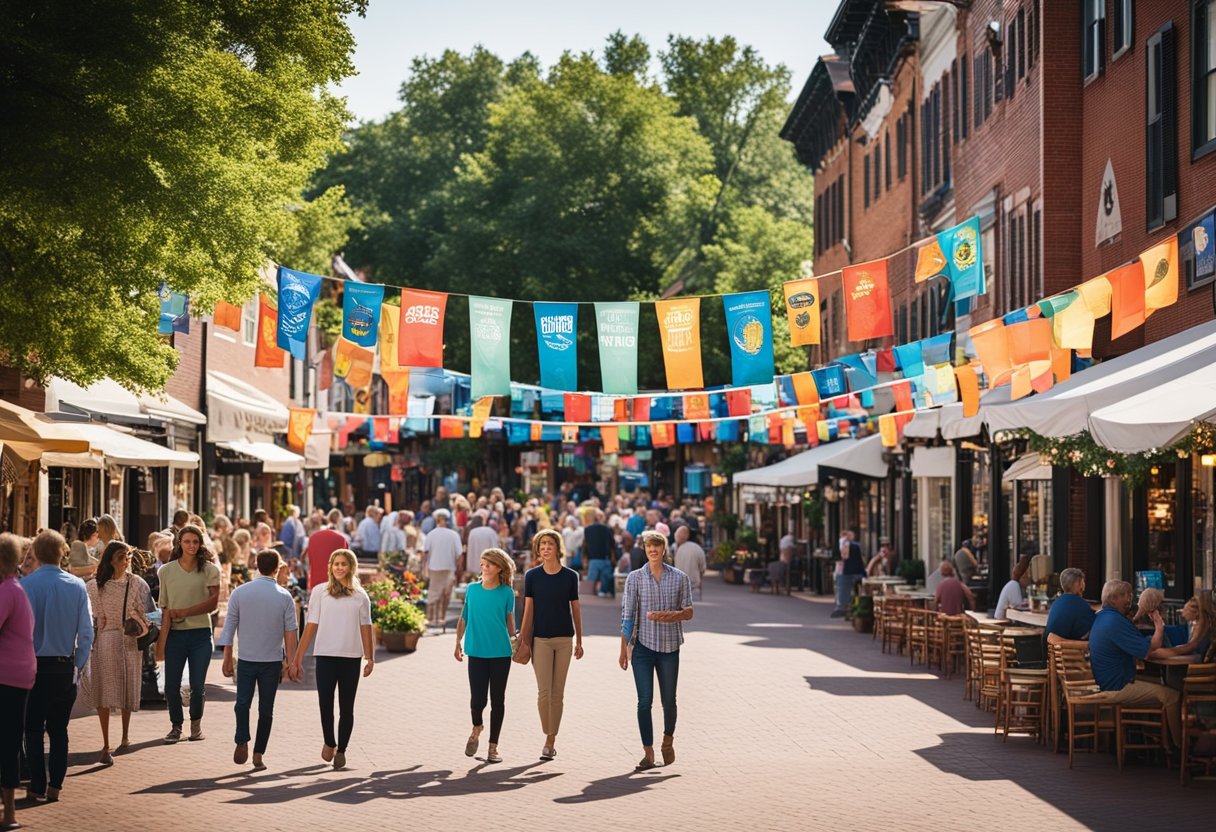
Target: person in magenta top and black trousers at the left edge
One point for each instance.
(18, 670)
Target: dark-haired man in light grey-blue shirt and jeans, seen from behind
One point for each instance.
(262, 616)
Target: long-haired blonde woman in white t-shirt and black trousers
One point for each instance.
(340, 619)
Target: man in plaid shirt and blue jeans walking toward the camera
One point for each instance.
(658, 599)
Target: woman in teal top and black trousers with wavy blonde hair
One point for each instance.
(487, 627)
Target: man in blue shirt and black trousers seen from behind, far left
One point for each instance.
(63, 642)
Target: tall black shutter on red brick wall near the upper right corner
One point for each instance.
(1161, 144)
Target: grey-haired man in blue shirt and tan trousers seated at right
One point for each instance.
(1114, 647)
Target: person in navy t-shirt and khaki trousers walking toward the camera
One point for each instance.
(551, 631)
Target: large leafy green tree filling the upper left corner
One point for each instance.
(148, 143)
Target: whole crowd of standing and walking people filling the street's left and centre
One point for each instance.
(82, 610)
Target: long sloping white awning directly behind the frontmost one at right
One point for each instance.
(1065, 411)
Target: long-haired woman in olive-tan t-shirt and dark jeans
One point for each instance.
(190, 593)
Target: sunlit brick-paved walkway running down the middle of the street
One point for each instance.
(790, 721)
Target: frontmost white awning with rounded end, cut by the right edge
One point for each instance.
(1159, 417)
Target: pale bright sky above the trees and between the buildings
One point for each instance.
(398, 31)
